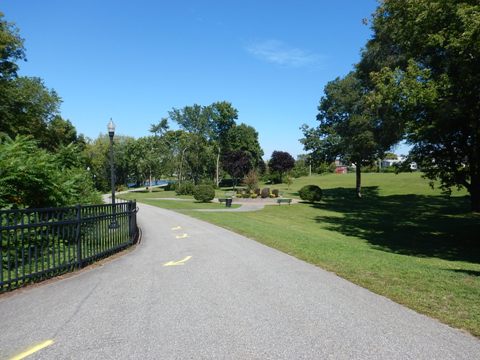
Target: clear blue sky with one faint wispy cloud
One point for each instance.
(135, 60)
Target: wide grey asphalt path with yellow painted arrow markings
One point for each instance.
(222, 297)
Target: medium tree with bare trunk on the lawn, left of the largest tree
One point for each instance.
(346, 130)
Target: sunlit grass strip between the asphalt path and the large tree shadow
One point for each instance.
(446, 290)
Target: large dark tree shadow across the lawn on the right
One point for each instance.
(419, 225)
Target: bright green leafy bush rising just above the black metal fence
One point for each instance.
(32, 177)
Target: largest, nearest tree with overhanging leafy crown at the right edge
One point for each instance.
(422, 65)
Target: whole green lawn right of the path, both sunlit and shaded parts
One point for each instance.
(402, 240)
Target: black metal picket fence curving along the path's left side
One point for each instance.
(40, 243)
